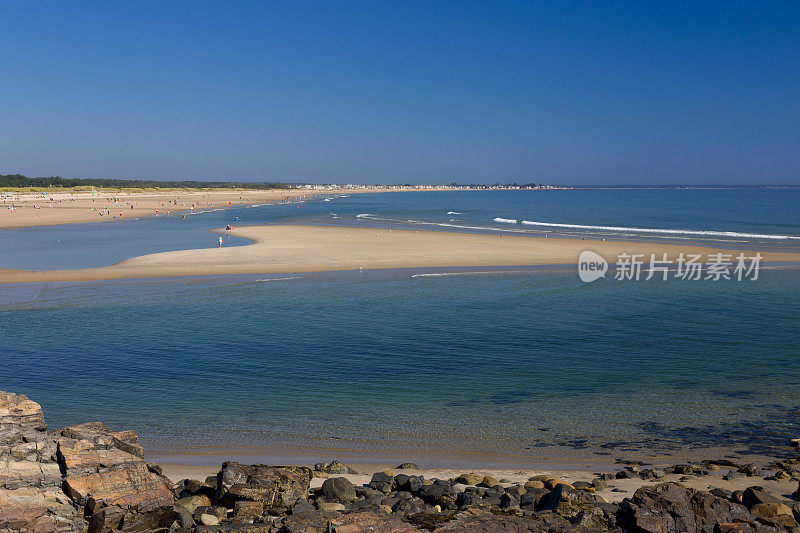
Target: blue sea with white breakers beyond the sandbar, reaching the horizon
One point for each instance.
(768, 218)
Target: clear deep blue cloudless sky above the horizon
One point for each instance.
(424, 92)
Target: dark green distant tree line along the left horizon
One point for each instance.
(18, 180)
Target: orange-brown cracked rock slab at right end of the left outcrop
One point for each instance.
(132, 487)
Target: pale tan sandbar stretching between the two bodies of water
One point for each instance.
(299, 248)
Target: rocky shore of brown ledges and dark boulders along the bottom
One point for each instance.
(88, 477)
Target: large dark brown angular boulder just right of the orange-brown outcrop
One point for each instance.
(279, 487)
